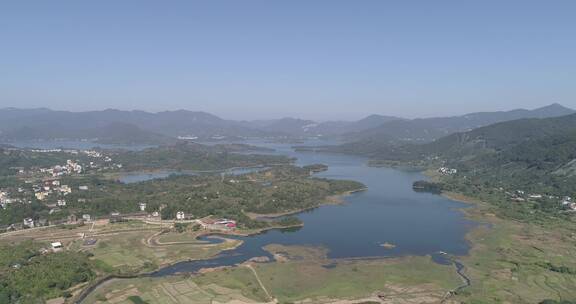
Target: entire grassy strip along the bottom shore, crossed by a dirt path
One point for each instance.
(304, 275)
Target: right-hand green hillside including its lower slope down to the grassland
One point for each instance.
(526, 166)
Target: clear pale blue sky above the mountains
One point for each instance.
(313, 59)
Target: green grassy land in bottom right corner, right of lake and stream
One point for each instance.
(517, 262)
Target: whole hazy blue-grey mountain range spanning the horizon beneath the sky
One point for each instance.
(115, 126)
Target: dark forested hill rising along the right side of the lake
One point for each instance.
(537, 155)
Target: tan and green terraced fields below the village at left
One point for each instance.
(126, 247)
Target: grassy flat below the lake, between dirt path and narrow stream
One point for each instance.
(317, 281)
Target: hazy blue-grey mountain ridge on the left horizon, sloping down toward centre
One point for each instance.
(151, 127)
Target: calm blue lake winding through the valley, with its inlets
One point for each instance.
(389, 211)
